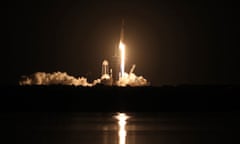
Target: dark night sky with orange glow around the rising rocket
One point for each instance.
(170, 41)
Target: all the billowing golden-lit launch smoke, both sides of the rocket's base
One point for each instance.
(62, 78)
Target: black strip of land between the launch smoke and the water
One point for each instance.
(111, 99)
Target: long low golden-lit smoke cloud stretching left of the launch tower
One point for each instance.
(56, 78)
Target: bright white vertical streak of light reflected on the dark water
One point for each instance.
(122, 133)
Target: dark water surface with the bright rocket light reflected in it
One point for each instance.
(122, 128)
